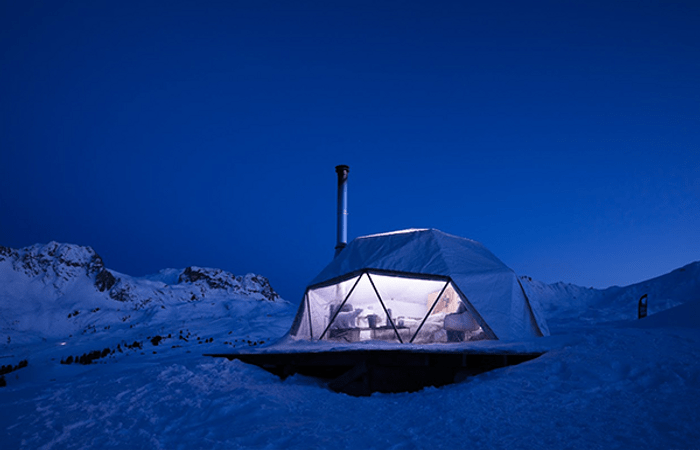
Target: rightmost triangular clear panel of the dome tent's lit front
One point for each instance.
(449, 321)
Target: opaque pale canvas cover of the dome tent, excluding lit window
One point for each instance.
(485, 282)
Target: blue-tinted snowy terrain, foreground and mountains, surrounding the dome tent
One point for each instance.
(607, 381)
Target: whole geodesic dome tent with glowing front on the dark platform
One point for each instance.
(416, 286)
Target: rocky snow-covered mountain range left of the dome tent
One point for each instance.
(57, 291)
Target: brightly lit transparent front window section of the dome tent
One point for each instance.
(373, 306)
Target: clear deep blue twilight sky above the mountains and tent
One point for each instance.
(565, 136)
